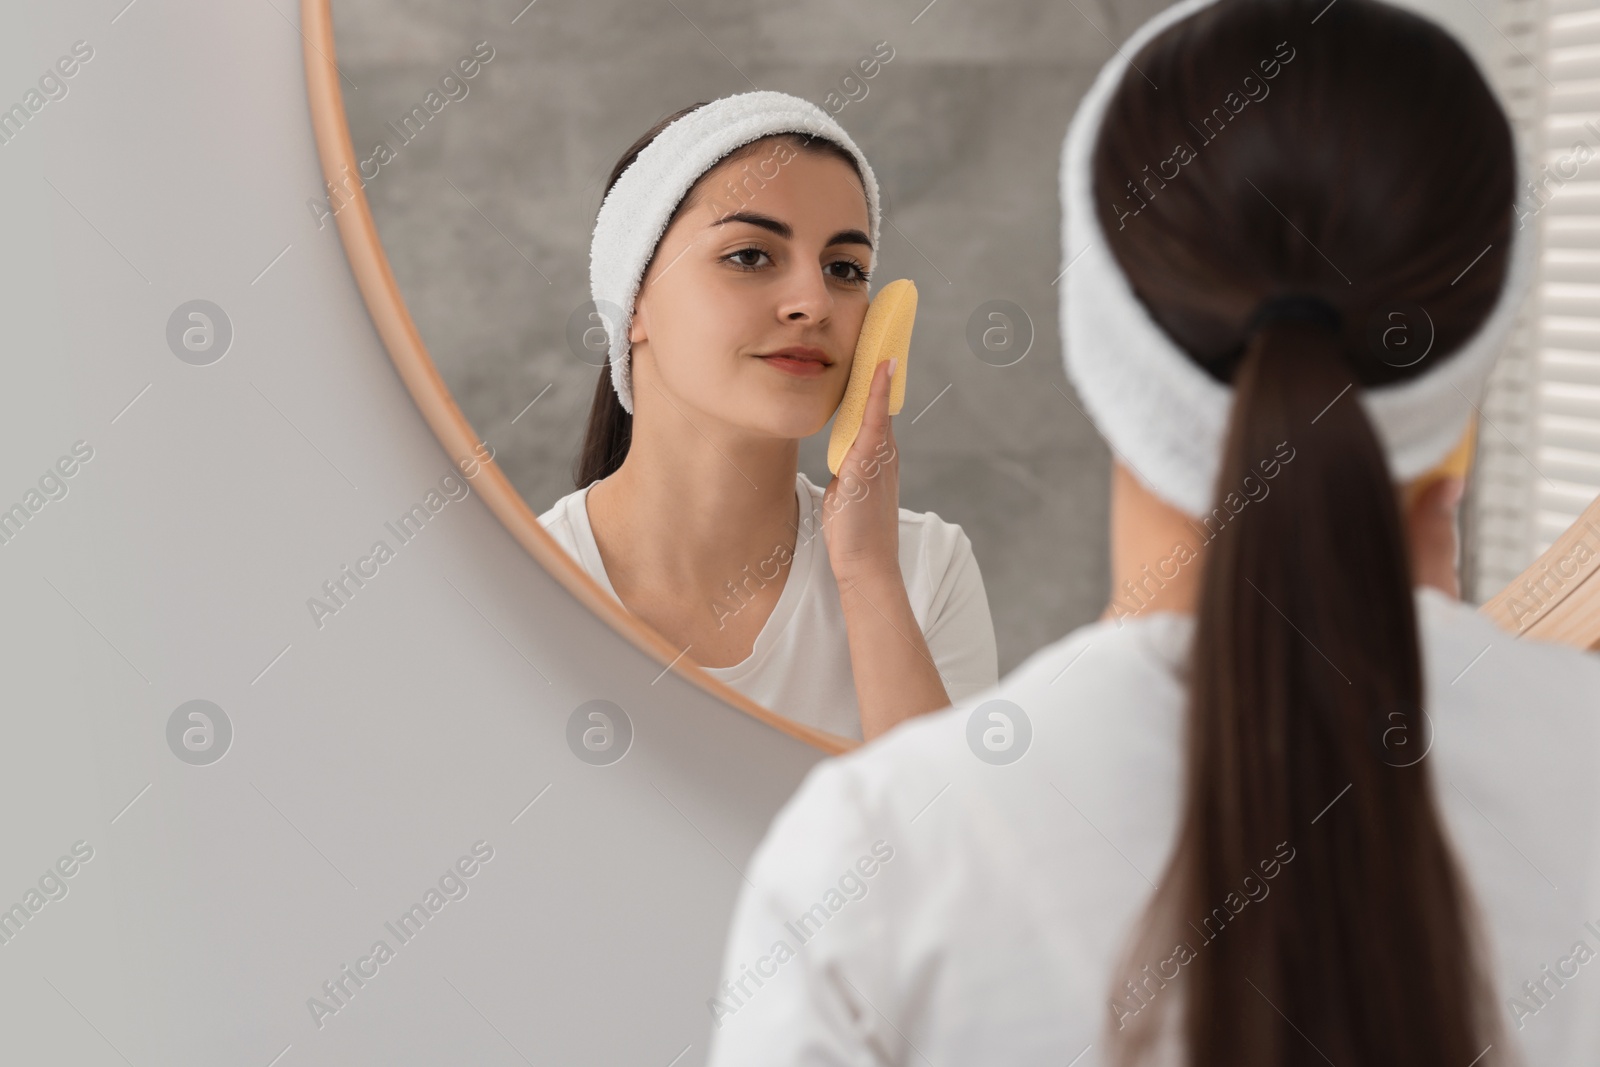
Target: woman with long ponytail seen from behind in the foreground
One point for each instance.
(1284, 804)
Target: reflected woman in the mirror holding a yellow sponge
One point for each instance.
(730, 268)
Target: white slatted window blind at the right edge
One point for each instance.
(1540, 436)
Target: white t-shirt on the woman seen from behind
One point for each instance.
(937, 909)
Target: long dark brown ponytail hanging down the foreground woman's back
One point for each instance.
(1303, 773)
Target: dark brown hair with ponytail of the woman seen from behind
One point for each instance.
(1370, 169)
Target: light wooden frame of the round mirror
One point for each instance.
(1558, 599)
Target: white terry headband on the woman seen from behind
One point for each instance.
(1158, 407)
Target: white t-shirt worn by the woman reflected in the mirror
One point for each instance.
(801, 663)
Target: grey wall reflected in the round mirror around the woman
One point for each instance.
(487, 137)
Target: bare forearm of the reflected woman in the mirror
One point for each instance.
(890, 660)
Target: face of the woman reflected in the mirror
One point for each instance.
(742, 278)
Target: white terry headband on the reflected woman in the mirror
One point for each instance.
(636, 212)
